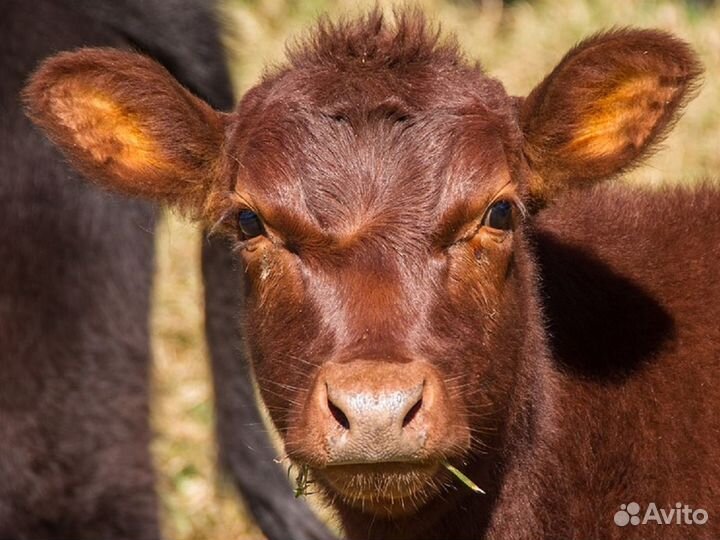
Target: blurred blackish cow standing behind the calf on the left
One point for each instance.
(75, 298)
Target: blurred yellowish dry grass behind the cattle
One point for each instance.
(518, 44)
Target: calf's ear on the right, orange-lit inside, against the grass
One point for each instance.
(606, 105)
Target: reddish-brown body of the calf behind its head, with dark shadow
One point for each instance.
(627, 281)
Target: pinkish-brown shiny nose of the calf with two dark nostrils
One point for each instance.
(371, 412)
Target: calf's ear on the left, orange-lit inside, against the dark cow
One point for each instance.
(126, 123)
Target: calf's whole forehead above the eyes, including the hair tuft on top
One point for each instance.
(372, 131)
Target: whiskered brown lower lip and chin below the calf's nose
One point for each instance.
(391, 489)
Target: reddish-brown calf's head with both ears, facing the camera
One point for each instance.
(376, 188)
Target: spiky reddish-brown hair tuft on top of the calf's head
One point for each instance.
(374, 42)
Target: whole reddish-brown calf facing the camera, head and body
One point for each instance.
(427, 284)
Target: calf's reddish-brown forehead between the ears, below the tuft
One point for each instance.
(372, 160)
